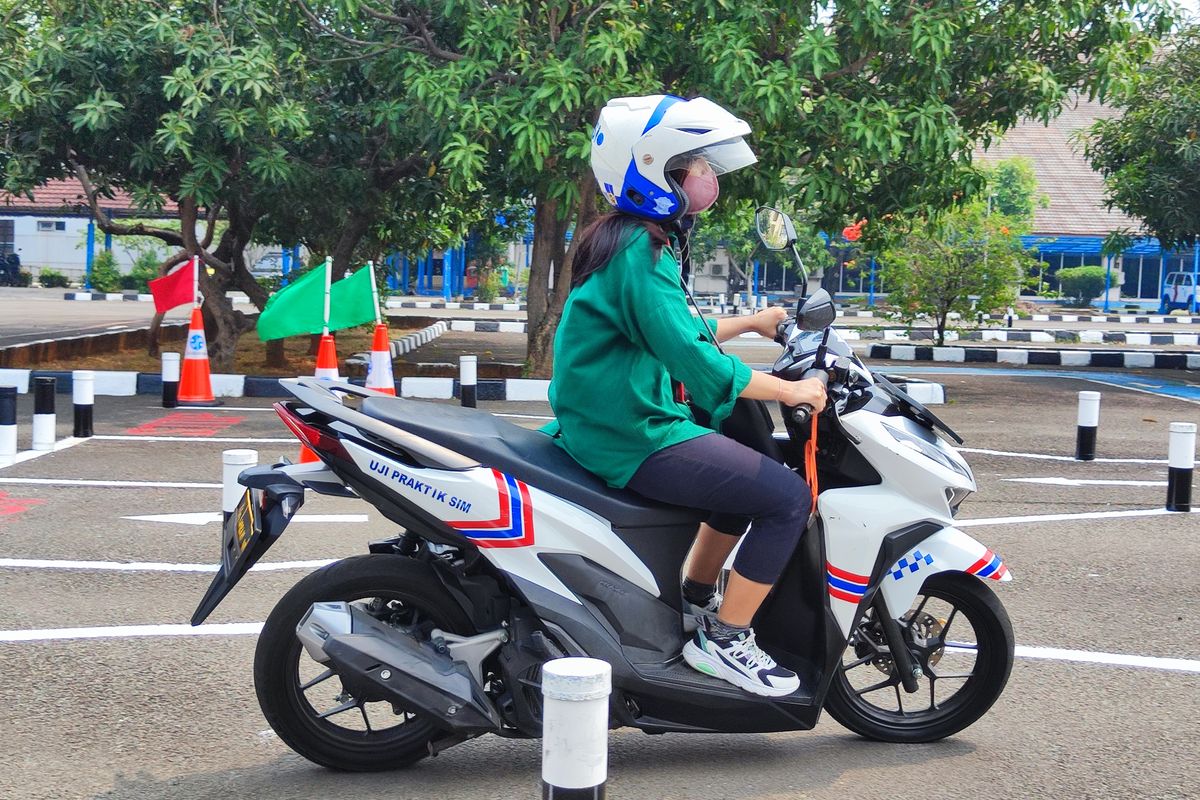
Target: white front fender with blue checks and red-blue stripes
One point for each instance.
(947, 551)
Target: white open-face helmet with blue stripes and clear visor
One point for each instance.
(638, 141)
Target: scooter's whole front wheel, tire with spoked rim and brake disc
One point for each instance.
(962, 639)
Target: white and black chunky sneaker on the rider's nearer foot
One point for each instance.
(740, 661)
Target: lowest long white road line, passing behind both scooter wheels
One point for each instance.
(250, 629)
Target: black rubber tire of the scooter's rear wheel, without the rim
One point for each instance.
(283, 700)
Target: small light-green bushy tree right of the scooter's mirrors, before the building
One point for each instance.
(962, 262)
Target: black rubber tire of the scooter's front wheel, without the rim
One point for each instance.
(994, 637)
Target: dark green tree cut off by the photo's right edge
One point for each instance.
(1150, 155)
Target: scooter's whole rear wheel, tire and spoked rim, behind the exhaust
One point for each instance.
(307, 705)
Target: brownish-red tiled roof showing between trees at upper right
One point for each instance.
(1075, 190)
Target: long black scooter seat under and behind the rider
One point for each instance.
(526, 455)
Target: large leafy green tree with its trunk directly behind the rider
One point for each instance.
(874, 107)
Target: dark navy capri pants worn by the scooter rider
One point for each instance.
(739, 486)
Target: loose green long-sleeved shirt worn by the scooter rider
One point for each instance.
(625, 334)
